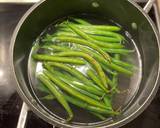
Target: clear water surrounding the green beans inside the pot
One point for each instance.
(128, 85)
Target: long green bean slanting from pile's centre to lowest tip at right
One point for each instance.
(106, 63)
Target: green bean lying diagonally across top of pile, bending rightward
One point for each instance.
(90, 39)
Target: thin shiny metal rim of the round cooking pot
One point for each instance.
(46, 117)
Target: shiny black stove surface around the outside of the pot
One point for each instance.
(10, 102)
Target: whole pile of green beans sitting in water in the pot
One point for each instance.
(82, 65)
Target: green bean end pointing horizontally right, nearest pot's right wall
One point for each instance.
(120, 51)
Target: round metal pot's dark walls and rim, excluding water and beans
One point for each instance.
(125, 12)
